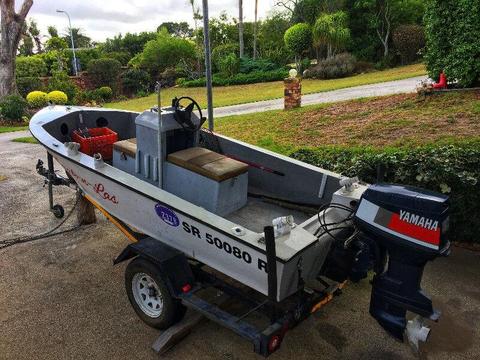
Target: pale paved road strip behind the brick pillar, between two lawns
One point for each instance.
(380, 89)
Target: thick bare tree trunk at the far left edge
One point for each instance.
(11, 25)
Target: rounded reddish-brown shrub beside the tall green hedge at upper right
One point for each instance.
(409, 40)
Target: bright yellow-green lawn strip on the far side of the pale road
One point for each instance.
(239, 94)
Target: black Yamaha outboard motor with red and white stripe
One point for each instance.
(408, 226)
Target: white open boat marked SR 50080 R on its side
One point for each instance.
(211, 197)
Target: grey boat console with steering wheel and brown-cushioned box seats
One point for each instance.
(199, 175)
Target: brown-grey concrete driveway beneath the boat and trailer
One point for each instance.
(61, 298)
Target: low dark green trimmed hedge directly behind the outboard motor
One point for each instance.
(453, 169)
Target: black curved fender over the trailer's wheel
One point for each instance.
(172, 263)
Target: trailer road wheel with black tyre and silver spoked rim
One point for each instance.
(149, 295)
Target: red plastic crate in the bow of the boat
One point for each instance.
(100, 141)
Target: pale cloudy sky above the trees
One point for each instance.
(100, 19)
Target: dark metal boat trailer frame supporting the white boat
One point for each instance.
(187, 279)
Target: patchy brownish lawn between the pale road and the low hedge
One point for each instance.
(398, 120)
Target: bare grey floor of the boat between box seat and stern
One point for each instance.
(259, 212)
